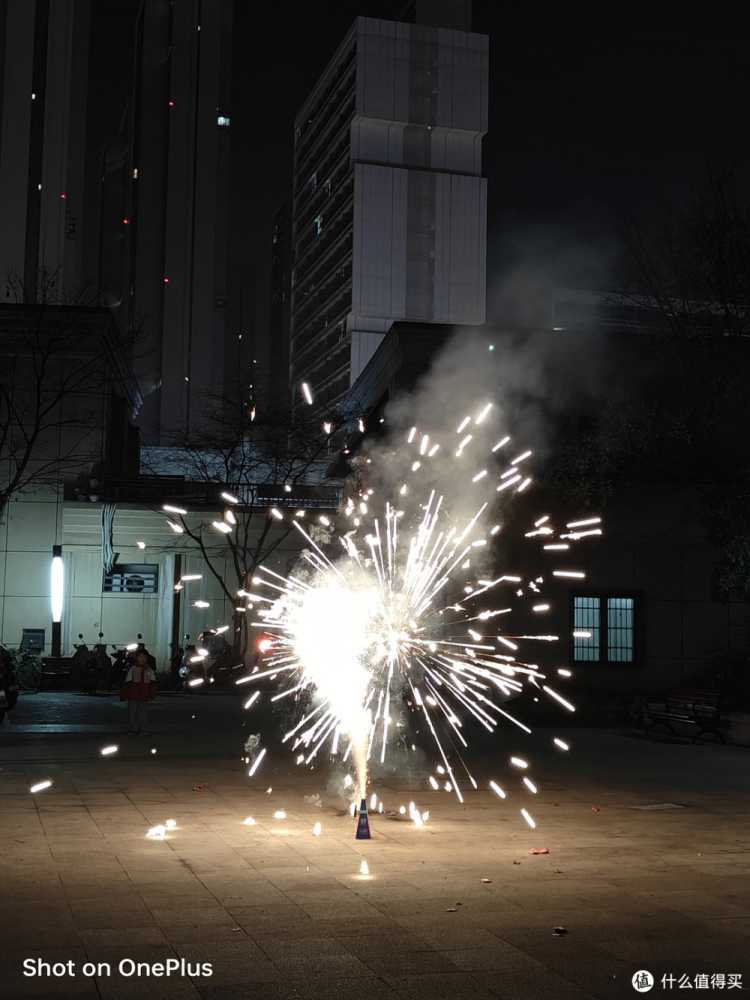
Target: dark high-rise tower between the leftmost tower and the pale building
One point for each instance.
(165, 206)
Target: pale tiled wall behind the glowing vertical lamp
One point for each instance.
(34, 524)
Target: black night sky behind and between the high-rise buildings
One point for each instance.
(588, 119)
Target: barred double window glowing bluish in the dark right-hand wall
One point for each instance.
(604, 629)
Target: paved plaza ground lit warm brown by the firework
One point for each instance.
(648, 867)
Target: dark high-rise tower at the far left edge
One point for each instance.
(43, 93)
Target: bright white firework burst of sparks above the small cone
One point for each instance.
(394, 610)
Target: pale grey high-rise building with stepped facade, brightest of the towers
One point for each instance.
(389, 205)
